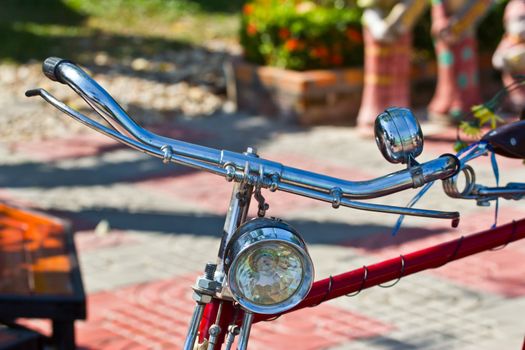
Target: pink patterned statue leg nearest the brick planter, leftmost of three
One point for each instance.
(388, 40)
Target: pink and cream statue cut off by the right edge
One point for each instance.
(510, 54)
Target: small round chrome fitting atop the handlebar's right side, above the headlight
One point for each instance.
(398, 135)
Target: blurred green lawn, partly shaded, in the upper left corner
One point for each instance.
(77, 29)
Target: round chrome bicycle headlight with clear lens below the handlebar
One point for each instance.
(269, 269)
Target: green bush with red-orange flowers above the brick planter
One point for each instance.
(302, 35)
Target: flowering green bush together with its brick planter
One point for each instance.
(302, 60)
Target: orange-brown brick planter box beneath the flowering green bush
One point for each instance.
(311, 97)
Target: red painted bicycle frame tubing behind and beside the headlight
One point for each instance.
(368, 276)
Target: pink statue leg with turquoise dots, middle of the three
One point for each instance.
(453, 28)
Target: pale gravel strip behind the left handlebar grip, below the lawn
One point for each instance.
(188, 83)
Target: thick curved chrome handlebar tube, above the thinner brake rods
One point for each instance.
(110, 110)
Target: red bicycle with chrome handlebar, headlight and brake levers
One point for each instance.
(263, 267)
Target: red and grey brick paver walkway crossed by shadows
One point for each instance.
(166, 221)
